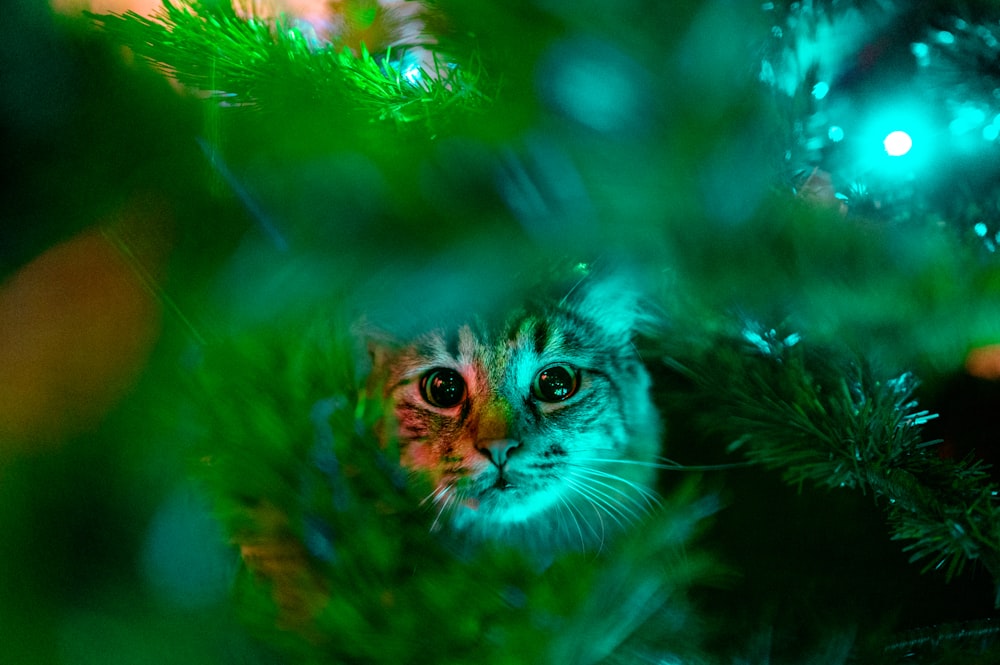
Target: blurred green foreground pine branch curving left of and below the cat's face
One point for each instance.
(342, 564)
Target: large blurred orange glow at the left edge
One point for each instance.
(76, 327)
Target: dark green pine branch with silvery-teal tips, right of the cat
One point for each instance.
(828, 420)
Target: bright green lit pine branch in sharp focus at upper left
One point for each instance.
(265, 64)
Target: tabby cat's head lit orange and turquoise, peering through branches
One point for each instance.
(540, 427)
